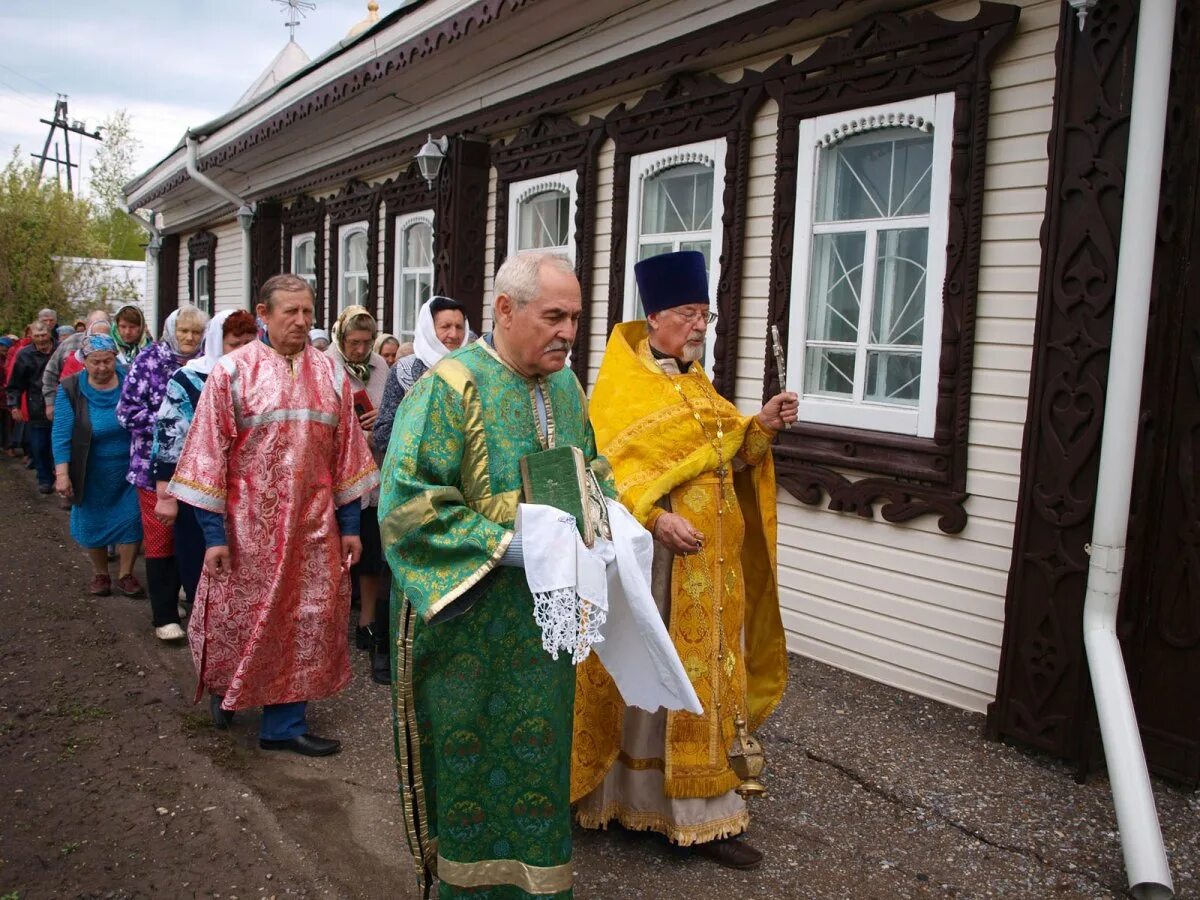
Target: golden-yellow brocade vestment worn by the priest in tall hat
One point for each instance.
(659, 434)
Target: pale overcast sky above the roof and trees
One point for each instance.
(171, 64)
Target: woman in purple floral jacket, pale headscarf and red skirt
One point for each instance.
(141, 398)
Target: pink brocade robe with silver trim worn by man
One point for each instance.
(275, 447)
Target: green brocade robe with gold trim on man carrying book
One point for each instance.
(483, 715)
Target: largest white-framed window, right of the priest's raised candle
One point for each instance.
(873, 194)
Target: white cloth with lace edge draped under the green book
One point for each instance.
(602, 599)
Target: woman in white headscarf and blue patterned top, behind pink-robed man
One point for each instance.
(227, 332)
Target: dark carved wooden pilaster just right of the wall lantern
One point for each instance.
(461, 226)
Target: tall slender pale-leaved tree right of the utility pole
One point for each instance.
(112, 169)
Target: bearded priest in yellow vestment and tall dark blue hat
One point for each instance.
(700, 477)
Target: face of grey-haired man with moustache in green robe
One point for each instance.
(539, 335)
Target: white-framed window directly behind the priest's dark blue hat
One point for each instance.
(675, 205)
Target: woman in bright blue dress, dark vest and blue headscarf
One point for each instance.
(92, 455)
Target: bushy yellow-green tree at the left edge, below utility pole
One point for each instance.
(39, 220)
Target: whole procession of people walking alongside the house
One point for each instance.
(268, 471)
